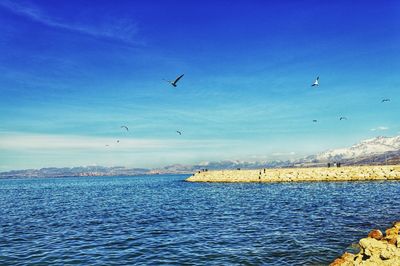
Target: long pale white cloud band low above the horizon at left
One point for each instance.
(29, 150)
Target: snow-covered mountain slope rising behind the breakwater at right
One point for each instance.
(366, 148)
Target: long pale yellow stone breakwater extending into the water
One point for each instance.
(348, 173)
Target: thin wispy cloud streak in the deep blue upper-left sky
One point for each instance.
(121, 29)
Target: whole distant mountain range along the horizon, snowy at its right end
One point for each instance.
(379, 150)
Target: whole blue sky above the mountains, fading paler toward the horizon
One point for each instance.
(72, 73)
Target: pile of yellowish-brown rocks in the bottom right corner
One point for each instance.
(376, 249)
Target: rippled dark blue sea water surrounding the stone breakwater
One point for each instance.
(162, 220)
